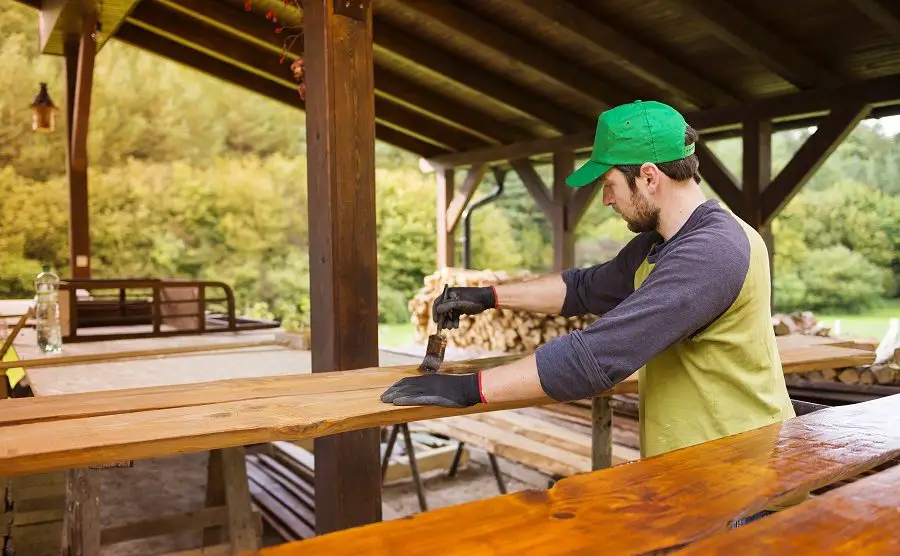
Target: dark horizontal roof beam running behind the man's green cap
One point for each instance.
(786, 112)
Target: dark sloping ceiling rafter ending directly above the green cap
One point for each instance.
(596, 36)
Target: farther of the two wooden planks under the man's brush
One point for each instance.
(90, 403)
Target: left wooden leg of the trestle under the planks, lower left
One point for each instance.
(82, 521)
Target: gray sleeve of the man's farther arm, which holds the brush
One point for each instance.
(597, 289)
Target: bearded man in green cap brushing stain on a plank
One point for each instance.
(686, 303)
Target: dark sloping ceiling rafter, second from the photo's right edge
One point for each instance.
(756, 41)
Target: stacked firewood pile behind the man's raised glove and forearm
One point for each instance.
(500, 330)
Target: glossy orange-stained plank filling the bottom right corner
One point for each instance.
(859, 519)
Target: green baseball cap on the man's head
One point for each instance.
(634, 133)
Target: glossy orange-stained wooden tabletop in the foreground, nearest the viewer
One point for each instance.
(687, 496)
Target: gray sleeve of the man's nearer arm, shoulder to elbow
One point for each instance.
(690, 286)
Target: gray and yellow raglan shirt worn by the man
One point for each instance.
(692, 316)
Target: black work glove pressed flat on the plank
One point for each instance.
(442, 390)
